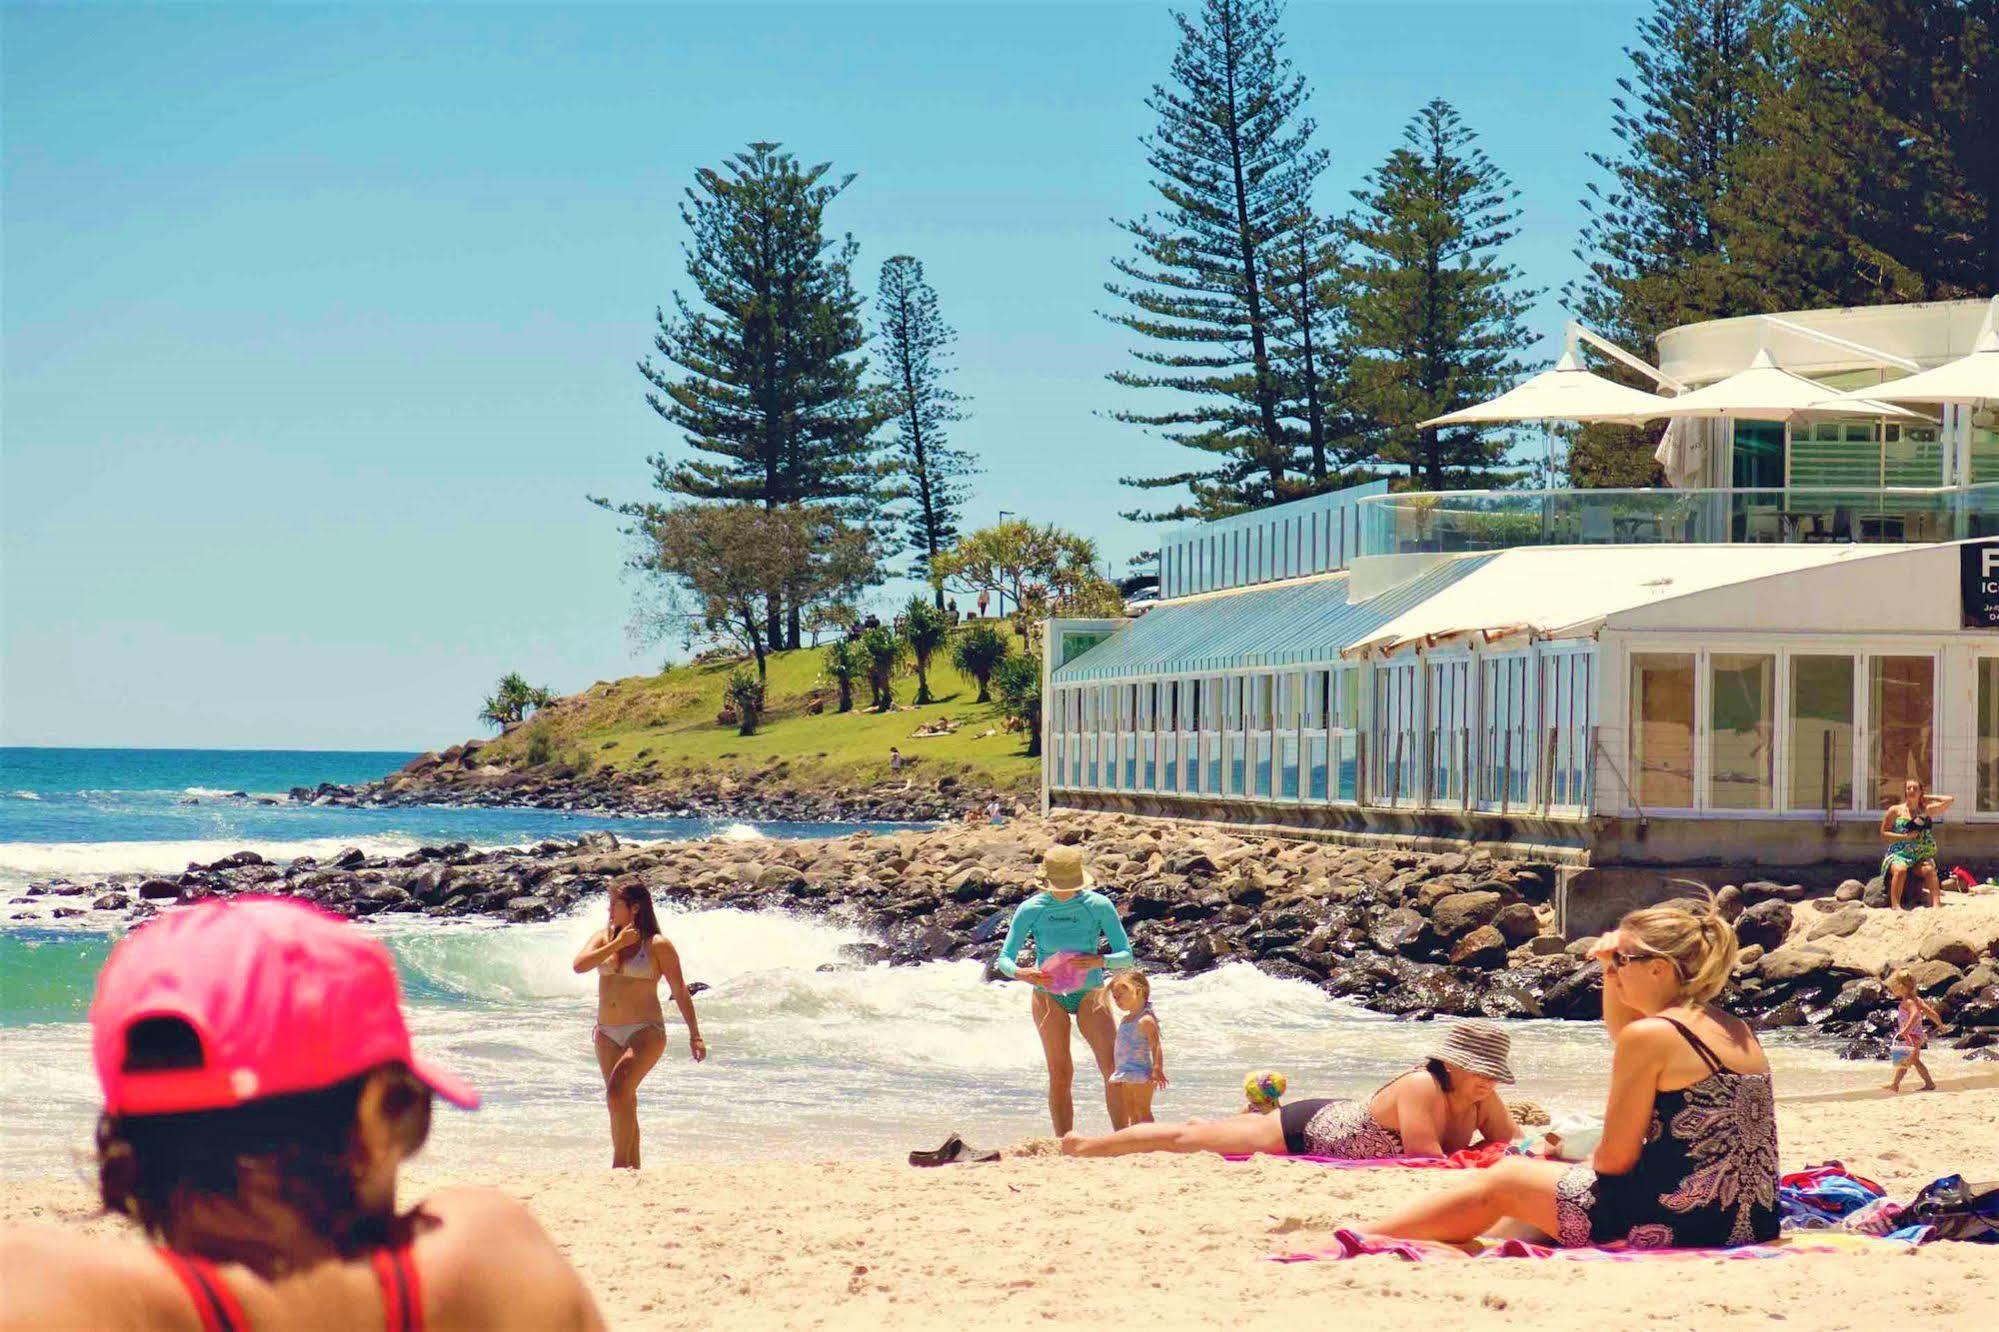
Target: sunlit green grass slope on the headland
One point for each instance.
(667, 725)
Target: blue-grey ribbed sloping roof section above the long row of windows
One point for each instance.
(1298, 623)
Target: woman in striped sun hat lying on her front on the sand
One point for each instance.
(1430, 1111)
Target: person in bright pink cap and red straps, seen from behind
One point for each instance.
(259, 1101)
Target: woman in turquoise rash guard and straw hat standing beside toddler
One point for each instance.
(1068, 919)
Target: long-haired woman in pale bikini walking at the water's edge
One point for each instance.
(633, 959)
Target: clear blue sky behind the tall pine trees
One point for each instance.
(321, 321)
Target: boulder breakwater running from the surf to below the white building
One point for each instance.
(1400, 933)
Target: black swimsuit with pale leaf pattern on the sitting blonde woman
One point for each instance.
(1706, 1177)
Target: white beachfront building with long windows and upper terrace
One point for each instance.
(1642, 677)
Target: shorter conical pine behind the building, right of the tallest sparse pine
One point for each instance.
(1436, 315)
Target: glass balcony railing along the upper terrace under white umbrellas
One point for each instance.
(1446, 521)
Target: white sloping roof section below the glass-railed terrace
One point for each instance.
(1574, 591)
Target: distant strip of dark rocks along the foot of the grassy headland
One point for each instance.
(461, 779)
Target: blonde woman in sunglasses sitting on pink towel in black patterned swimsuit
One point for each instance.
(1690, 1135)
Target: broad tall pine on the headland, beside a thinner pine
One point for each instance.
(763, 365)
